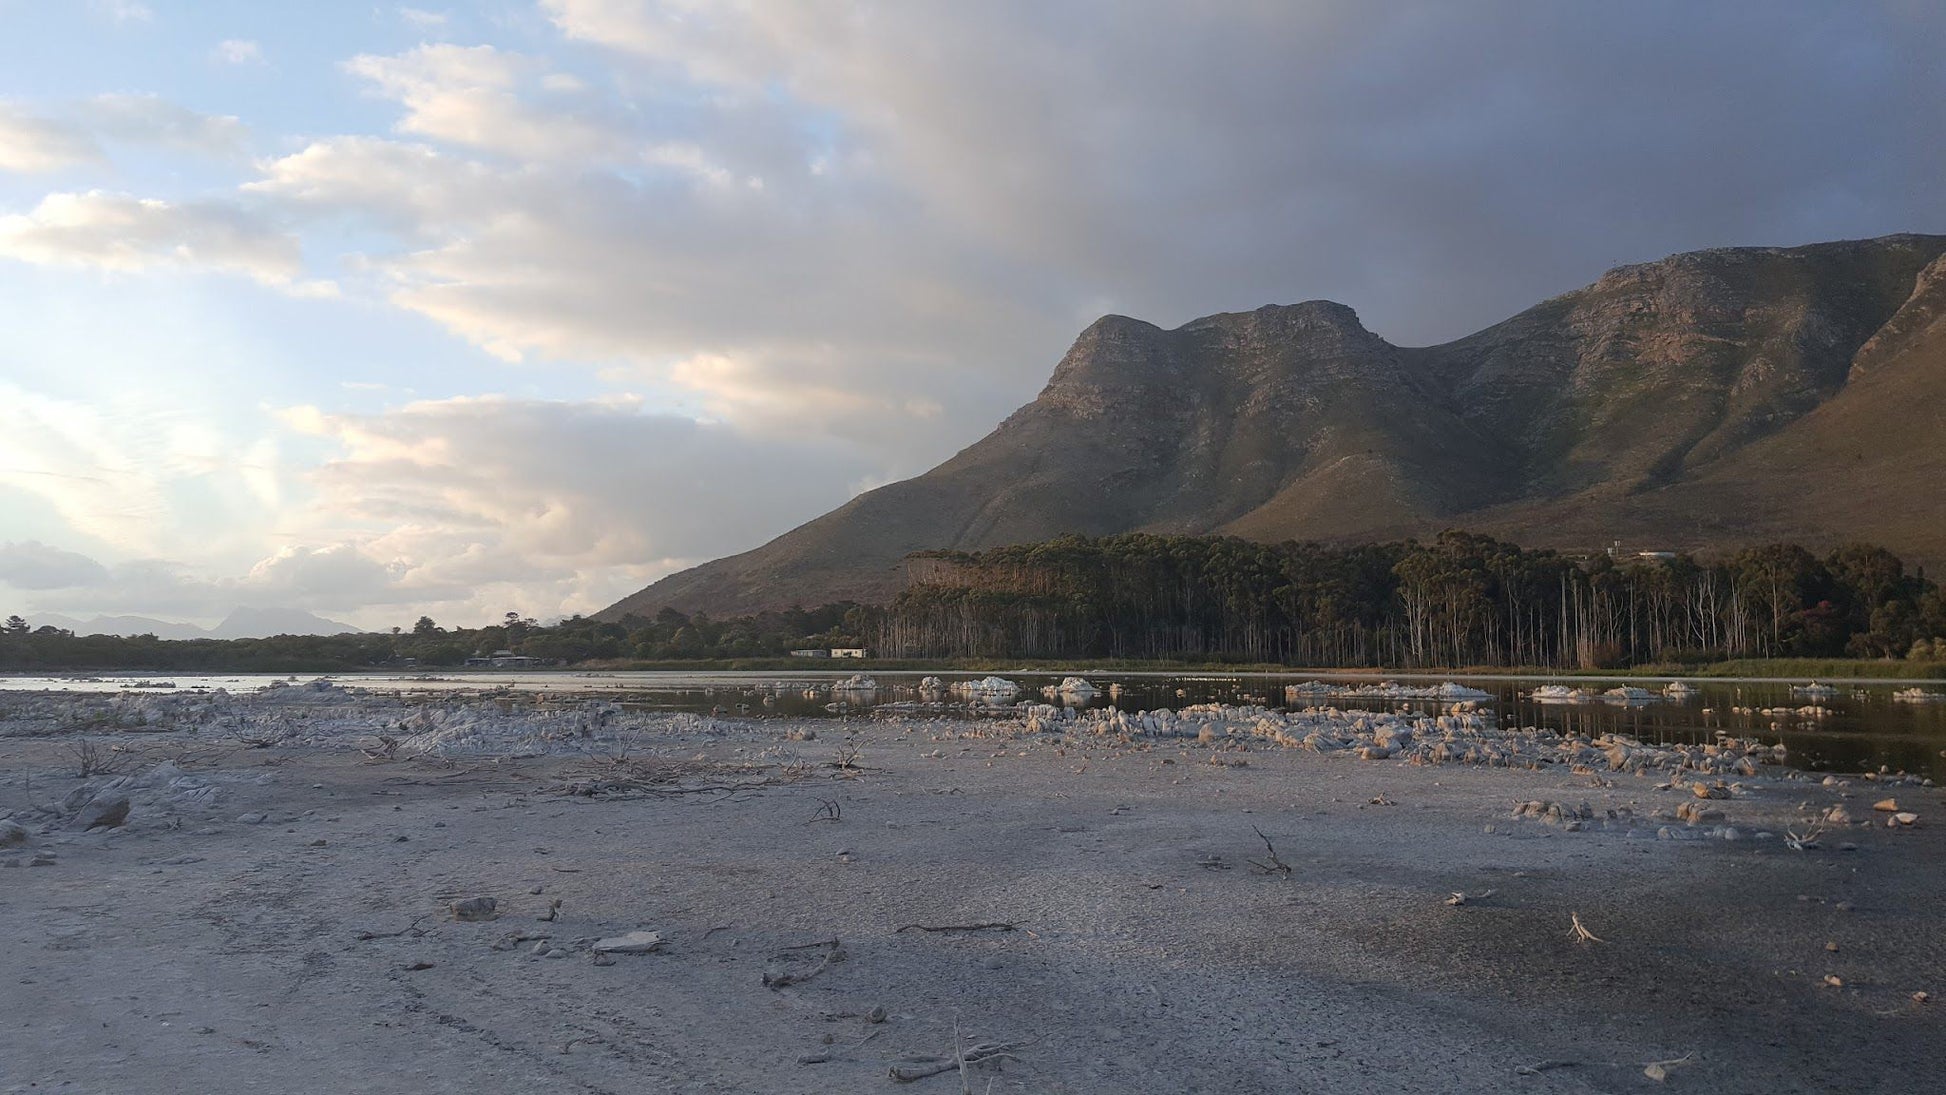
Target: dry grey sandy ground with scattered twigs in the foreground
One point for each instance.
(205, 950)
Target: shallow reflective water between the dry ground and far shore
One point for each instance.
(1863, 730)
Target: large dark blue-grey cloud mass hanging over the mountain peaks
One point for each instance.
(1182, 160)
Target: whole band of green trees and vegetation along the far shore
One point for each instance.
(1157, 602)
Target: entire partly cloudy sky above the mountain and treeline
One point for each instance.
(384, 312)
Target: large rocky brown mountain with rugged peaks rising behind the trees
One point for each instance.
(1710, 400)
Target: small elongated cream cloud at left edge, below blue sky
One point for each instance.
(126, 234)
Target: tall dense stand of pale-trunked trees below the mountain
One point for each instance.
(1459, 600)
